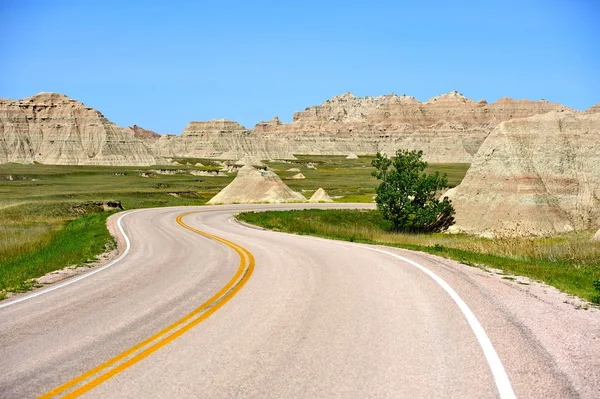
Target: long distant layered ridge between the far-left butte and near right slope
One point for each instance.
(448, 128)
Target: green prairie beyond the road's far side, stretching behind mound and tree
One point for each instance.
(44, 207)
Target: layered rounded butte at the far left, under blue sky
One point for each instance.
(51, 128)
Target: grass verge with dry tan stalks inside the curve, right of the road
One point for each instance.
(569, 262)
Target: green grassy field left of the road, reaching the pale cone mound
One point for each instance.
(38, 203)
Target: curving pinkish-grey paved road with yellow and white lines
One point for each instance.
(201, 306)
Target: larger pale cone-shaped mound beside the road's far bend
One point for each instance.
(256, 186)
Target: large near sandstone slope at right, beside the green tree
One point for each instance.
(534, 176)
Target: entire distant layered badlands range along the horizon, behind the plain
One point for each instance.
(51, 128)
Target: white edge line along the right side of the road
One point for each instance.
(499, 373)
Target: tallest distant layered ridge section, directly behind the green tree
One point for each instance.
(448, 128)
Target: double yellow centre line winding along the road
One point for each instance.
(114, 366)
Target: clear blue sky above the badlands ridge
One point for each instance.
(163, 64)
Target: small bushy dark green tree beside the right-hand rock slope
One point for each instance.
(408, 197)
